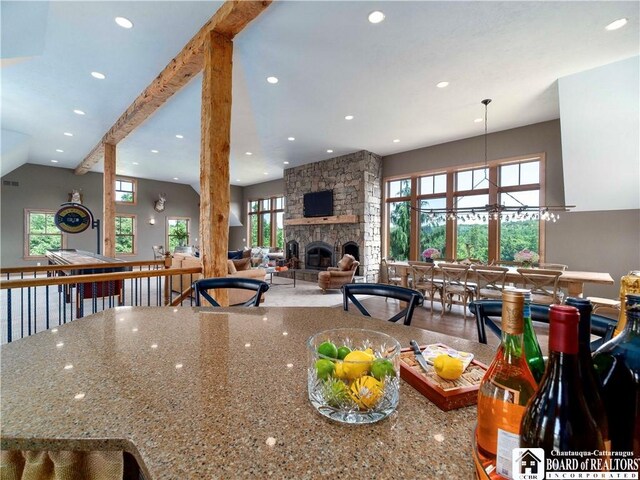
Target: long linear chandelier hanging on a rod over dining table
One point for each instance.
(517, 212)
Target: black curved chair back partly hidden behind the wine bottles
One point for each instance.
(488, 313)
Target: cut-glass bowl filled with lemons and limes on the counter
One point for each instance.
(353, 374)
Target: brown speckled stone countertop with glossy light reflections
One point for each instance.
(218, 394)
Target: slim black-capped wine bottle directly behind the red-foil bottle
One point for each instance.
(590, 381)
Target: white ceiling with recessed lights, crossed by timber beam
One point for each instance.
(330, 61)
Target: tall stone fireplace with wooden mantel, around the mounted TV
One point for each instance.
(355, 228)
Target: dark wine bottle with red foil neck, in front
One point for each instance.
(558, 417)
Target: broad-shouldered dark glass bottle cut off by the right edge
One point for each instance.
(618, 365)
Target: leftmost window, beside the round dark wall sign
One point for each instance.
(41, 233)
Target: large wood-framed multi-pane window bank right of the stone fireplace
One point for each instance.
(411, 228)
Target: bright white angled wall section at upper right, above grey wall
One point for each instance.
(600, 124)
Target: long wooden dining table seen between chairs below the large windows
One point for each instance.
(572, 280)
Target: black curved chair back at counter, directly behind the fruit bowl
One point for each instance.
(412, 298)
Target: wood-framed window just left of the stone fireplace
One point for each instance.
(266, 222)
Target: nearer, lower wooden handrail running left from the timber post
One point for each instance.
(98, 277)
